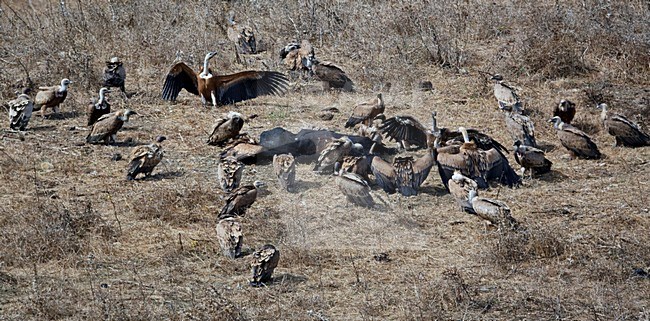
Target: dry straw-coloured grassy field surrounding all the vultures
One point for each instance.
(80, 242)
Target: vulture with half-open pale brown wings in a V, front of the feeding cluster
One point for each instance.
(404, 175)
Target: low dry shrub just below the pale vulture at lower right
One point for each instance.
(535, 242)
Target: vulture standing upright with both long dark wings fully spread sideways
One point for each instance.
(222, 89)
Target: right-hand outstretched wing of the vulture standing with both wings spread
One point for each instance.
(250, 84)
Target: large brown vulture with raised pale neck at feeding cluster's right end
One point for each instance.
(476, 163)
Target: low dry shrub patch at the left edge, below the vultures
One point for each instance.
(37, 231)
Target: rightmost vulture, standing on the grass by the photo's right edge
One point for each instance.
(625, 132)
